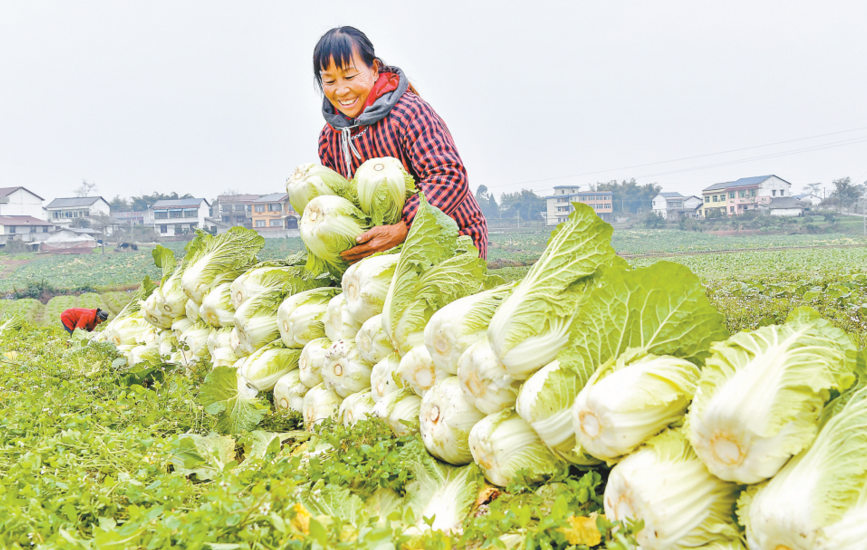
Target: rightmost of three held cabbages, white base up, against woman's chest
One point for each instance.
(382, 186)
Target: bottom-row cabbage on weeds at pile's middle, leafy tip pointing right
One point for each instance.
(502, 444)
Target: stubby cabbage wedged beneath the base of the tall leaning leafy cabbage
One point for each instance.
(484, 380)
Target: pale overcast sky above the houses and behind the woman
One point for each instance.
(201, 97)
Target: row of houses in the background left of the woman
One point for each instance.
(23, 216)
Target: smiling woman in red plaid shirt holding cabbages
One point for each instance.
(373, 111)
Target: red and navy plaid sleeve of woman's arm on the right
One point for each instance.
(435, 159)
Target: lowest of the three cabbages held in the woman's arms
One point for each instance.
(330, 226)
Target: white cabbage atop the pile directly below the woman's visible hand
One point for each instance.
(365, 285)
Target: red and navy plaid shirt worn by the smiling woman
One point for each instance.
(414, 134)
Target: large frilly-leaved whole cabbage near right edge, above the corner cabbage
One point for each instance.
(761, 394)
